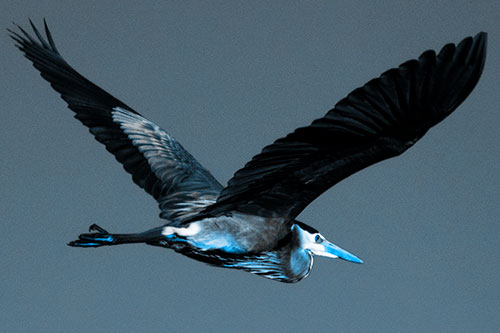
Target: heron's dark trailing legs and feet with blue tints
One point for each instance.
(98, 236)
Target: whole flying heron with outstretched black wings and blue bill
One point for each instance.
(250, 224)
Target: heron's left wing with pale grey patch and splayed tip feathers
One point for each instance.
(157, 163)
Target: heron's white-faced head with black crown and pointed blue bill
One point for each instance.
(311, 240)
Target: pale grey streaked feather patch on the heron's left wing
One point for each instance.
(172, 165)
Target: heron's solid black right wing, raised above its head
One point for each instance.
(377, 121)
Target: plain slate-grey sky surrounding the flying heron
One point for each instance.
(227, 78)
